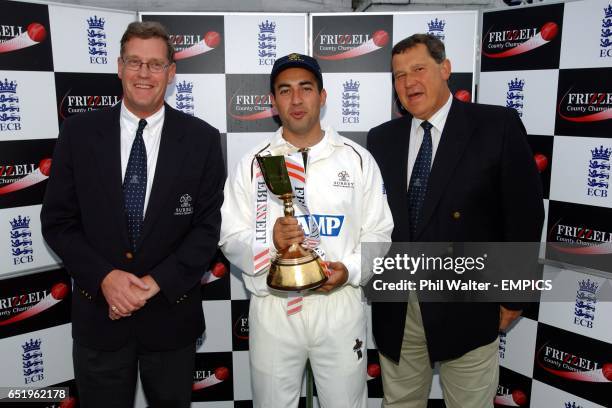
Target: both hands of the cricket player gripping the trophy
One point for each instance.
(287, 231)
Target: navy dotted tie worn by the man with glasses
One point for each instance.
(135, 185)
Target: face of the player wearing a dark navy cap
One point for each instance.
(298, 102)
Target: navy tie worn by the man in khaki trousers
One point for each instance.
(418, 180)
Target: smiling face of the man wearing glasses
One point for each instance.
(143, 90)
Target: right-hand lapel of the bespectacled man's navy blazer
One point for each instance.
(167, 169)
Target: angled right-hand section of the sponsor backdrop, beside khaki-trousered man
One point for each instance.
(552, 63)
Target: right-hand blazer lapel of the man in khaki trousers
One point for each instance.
(456, 134)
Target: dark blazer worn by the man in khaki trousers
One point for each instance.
(483, 187)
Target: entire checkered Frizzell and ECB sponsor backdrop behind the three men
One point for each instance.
(552, 63)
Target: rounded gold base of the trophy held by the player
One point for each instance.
(296, 274)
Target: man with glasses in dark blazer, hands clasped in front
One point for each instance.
(133, 210)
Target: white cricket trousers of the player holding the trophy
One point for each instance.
(330, 330)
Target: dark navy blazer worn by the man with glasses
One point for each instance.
(83, 221)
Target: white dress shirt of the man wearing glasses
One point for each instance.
(151, 136)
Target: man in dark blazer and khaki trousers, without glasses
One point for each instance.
(453, 172)
